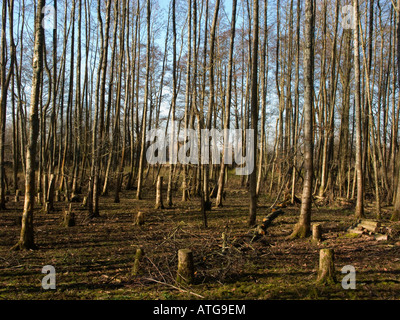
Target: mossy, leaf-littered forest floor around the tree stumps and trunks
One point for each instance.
(93, 260)
